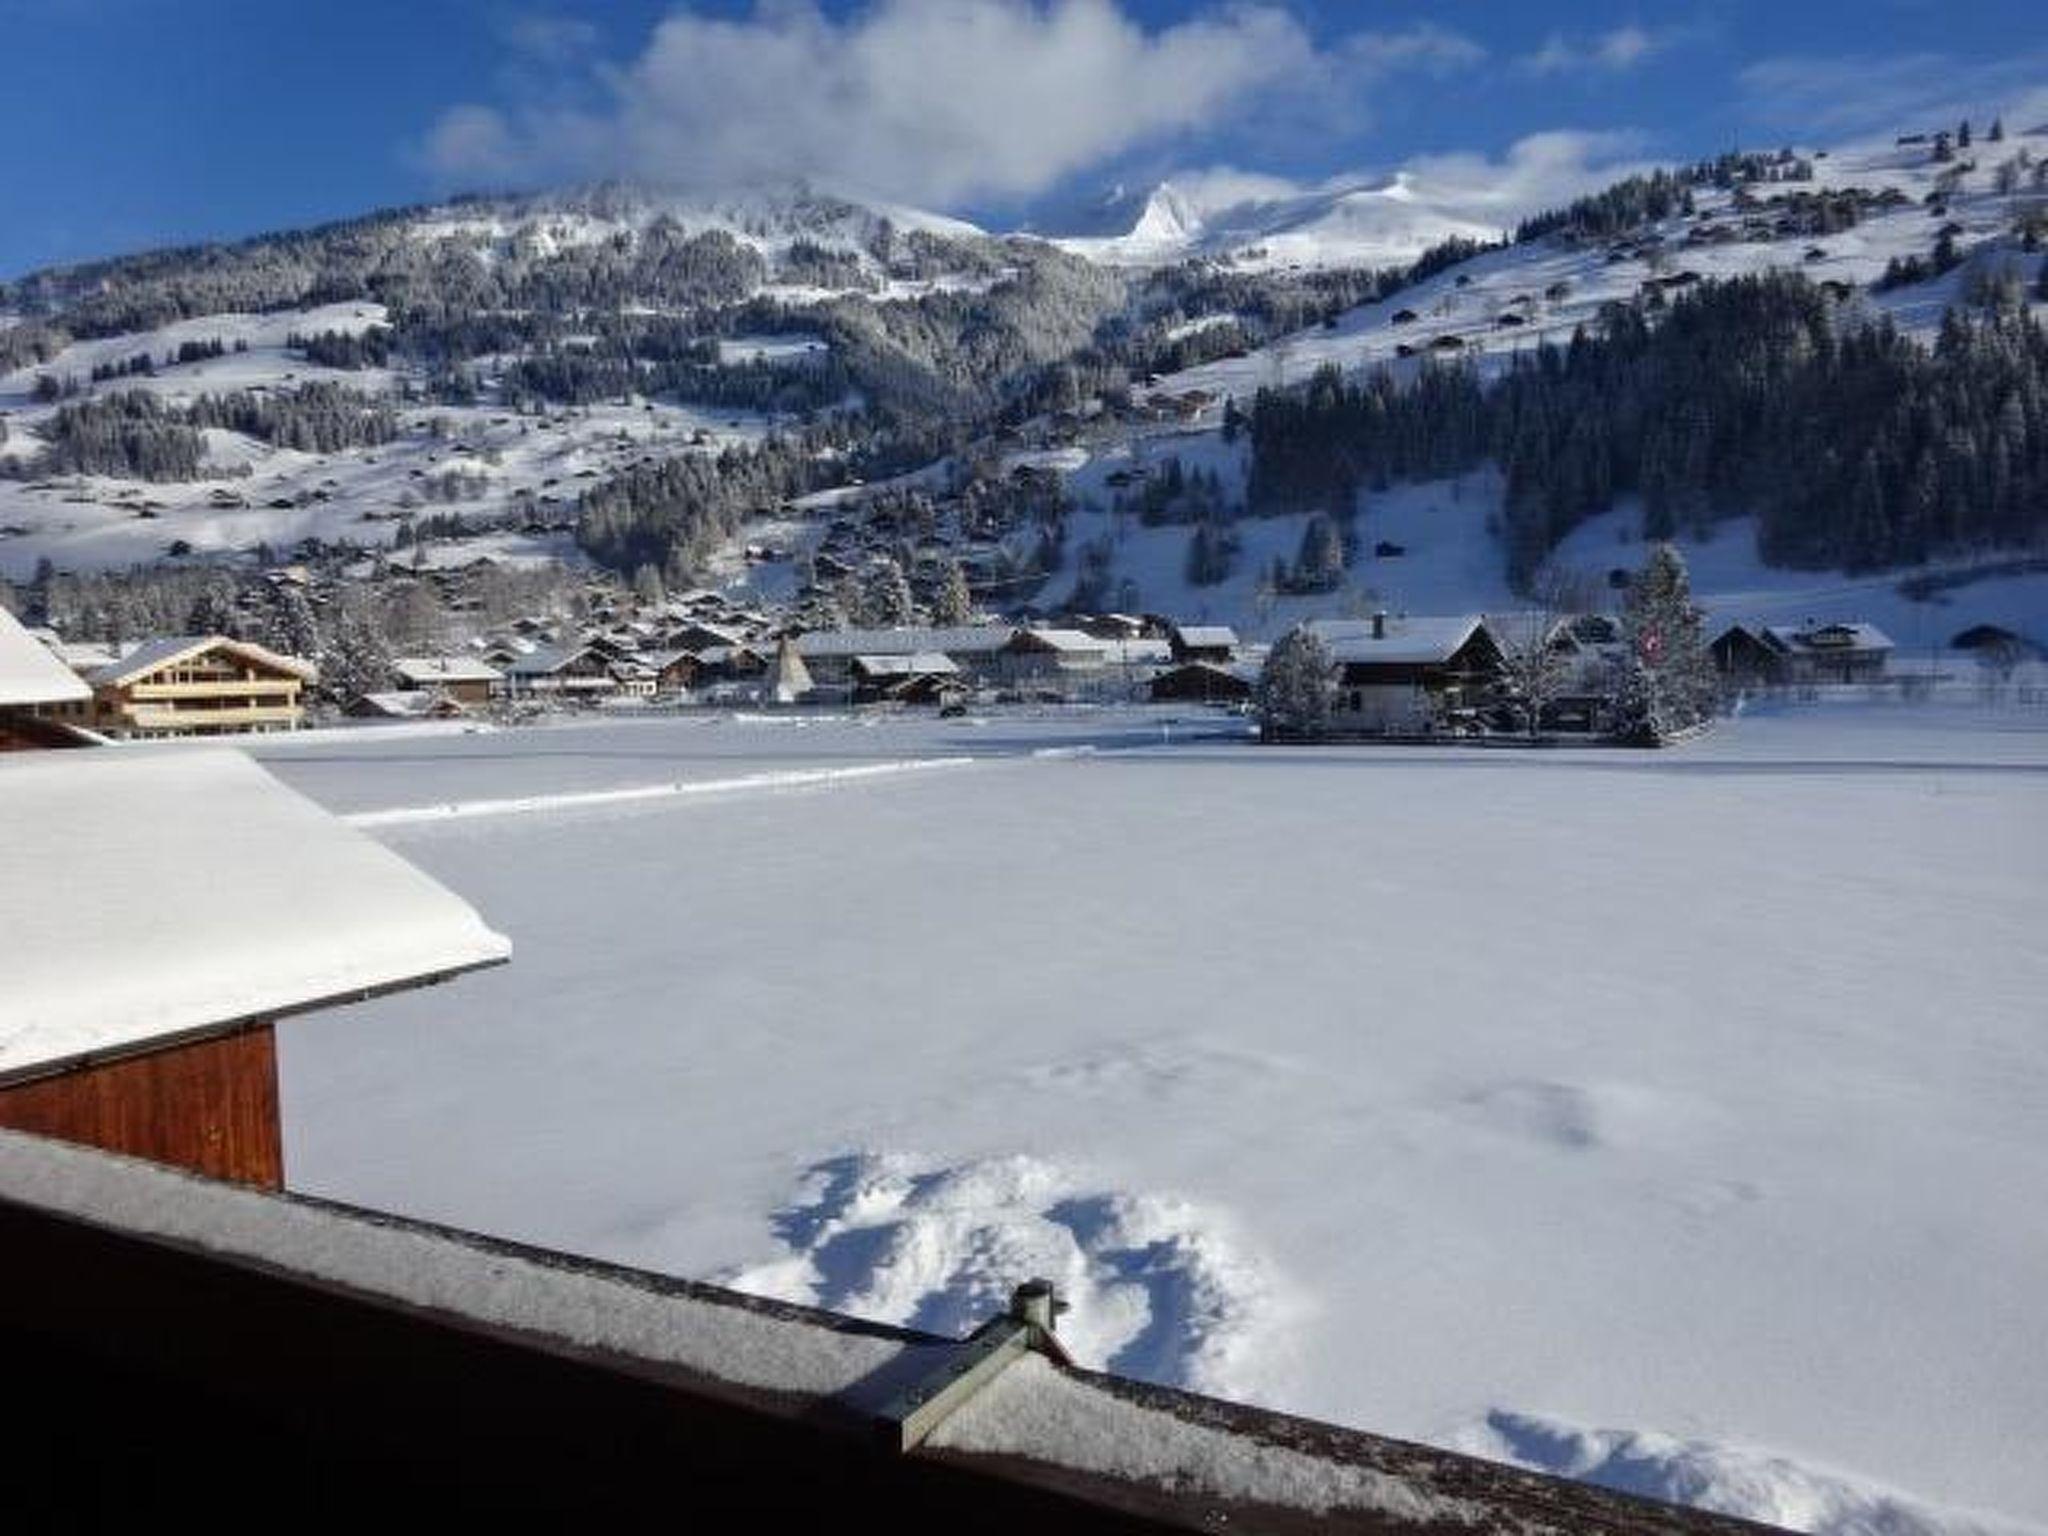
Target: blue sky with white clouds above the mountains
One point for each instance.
(153, 122)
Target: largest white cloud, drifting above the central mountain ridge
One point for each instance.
(931, 101)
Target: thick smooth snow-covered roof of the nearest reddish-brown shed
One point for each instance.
(169, 894)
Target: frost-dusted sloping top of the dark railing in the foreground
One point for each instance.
(1152, 1455)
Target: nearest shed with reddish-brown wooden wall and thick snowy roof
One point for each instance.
(161, 912)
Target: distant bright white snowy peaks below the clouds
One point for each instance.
(1263, 222)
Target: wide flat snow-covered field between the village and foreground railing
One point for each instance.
(1670, 1119)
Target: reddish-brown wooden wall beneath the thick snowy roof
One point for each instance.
(208, 1107)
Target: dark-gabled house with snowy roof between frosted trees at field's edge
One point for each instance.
(1400, 677)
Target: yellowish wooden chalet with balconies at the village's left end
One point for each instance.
(200, 685)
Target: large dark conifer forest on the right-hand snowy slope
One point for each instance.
(1848, 441)
